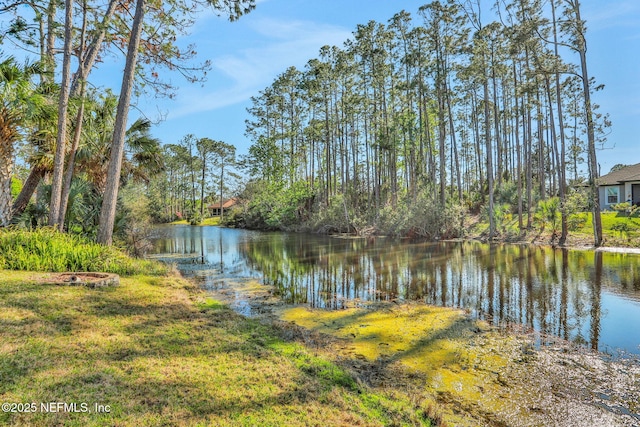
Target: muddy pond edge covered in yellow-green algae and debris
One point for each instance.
(472, 373)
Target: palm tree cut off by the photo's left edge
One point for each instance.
(20, 102)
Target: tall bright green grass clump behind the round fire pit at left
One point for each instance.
(46, 249)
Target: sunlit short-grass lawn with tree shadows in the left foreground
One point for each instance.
(153, 351)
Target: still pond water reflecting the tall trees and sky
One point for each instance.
(587, 297)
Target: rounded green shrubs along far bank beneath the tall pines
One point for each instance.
(292, 208)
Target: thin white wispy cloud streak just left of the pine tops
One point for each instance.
(277, 46)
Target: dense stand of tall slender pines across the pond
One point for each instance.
(432, 111)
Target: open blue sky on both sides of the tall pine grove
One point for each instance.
(248, 54)
